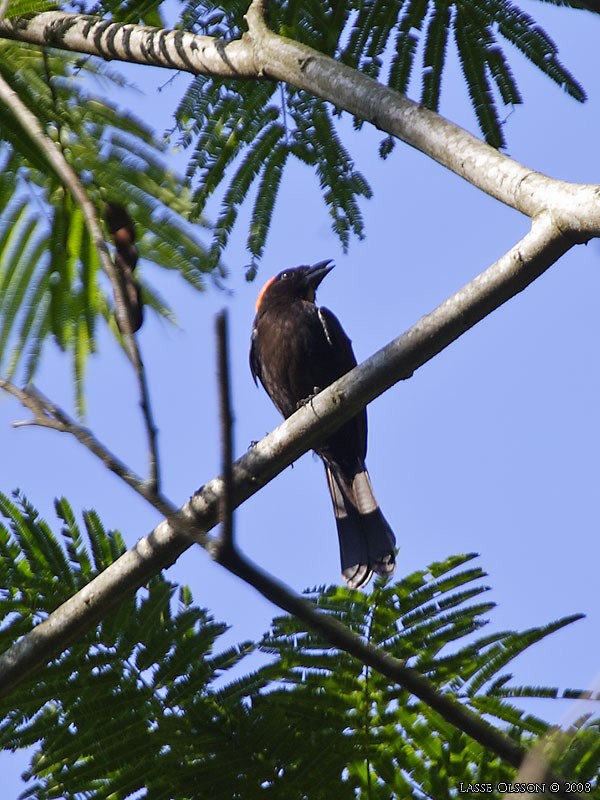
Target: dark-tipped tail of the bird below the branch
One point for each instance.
(367, 543)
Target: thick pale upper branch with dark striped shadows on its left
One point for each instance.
(260, 54)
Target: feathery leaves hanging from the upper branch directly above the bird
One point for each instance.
(252, 128)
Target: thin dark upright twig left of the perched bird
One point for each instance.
(226, 542)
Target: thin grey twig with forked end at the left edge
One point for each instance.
(47, 414)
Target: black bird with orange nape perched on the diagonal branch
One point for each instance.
(297, 349)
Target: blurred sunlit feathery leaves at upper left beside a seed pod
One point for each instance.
(51, 286)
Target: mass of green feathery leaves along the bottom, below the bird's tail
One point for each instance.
(149, 703)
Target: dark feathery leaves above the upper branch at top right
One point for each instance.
(386, 38)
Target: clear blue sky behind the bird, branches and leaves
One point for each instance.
(492, 447)
